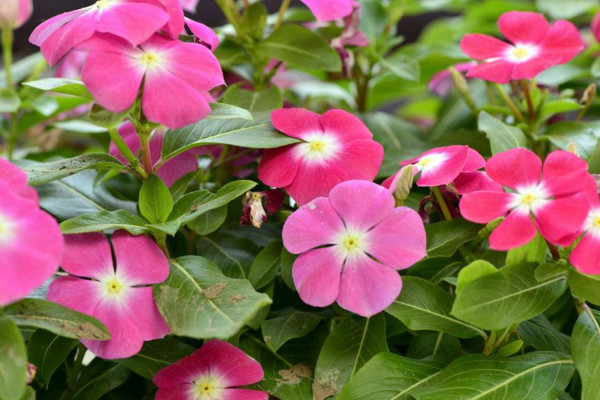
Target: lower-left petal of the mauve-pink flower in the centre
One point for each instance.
(317, 276)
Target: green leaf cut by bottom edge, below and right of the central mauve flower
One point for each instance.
(389, 376)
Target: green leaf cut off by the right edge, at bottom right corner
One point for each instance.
(585, 348)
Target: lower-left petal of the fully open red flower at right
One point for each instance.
(515, 231)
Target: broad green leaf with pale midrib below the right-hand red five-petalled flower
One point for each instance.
(506, 297)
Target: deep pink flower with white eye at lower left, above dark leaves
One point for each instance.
(120, 295)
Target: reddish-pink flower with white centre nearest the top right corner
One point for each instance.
(536, 46)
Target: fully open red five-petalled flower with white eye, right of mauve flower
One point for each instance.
(548, 201)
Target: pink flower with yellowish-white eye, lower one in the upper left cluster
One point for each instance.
(176, 77)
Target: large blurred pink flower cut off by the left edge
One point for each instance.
(30, 241)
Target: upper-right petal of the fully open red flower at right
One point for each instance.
(564, 173)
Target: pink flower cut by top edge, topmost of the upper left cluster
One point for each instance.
(134, 21)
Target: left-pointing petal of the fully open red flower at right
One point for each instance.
(485, 206)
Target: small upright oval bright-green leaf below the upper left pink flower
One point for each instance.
(156, 203)
